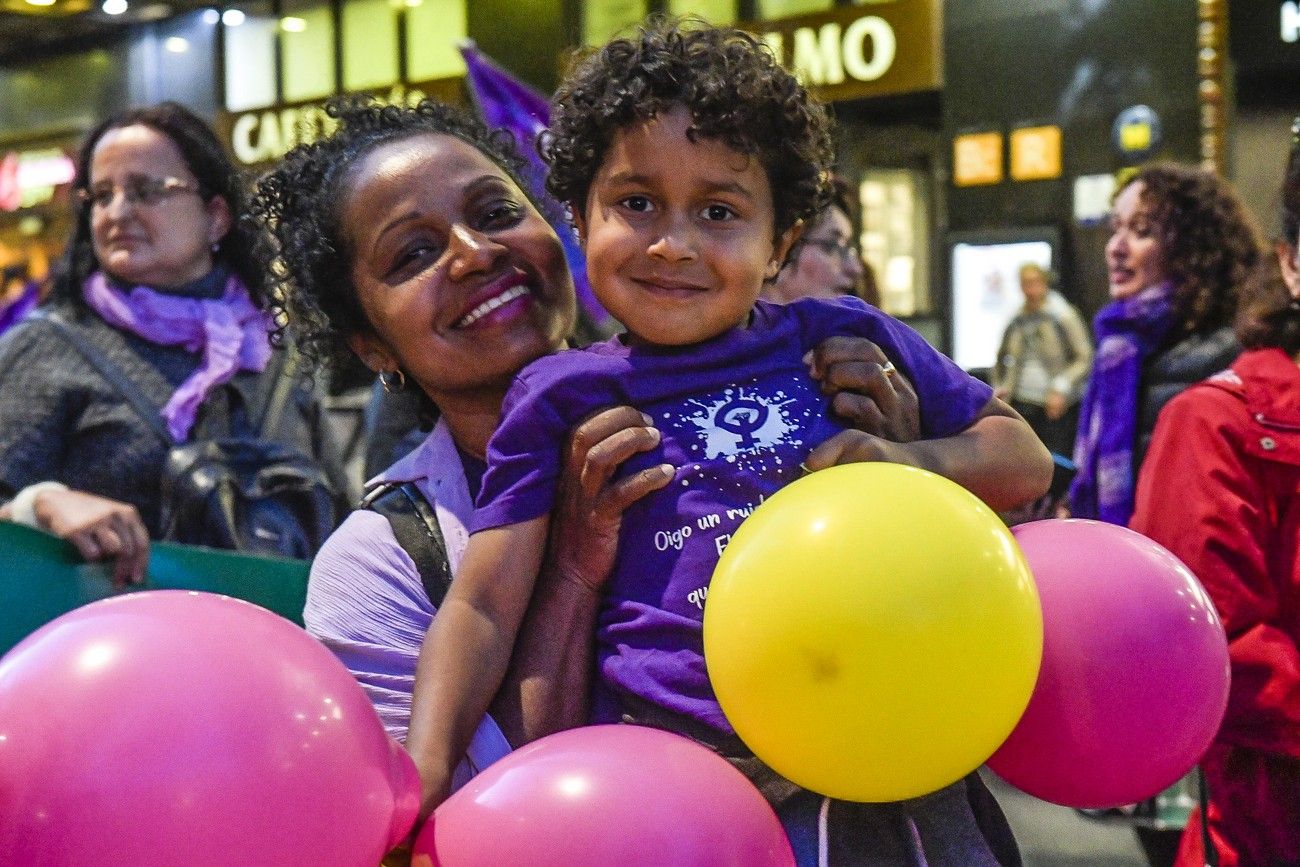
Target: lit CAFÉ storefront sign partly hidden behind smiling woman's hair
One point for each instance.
(267, 135)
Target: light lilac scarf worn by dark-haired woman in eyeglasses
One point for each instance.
(232, 332)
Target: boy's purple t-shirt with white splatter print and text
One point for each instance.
(738, 417)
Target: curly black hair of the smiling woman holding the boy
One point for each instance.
(300, 205)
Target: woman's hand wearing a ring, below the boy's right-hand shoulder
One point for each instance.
(868, 392)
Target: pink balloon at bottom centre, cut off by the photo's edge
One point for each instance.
(606, 795)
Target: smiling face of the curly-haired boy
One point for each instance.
(678, 233)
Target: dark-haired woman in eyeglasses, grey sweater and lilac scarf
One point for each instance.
(159, 280)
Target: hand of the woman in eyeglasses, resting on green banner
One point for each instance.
(101, 530)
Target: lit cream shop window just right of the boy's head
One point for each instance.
(896, 239)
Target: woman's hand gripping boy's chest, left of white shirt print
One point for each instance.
(590, 505)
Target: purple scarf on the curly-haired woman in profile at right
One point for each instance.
(1129, 332)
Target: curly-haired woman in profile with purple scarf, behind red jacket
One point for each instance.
(1181, 248)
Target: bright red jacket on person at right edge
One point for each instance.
(1221, 489)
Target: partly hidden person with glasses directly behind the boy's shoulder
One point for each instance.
(826, 262)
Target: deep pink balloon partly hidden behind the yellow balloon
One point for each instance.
(1136, 674)
